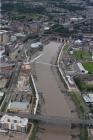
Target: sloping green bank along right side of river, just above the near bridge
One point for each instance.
(81, 107)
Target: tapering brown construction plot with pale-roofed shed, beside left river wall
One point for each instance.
(22, 97)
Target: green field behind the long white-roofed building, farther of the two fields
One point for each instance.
(81, 55)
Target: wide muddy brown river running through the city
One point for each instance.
(54, 102)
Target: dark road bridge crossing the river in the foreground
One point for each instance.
(55, 120)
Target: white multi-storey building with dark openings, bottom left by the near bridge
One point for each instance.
(13, 123)
